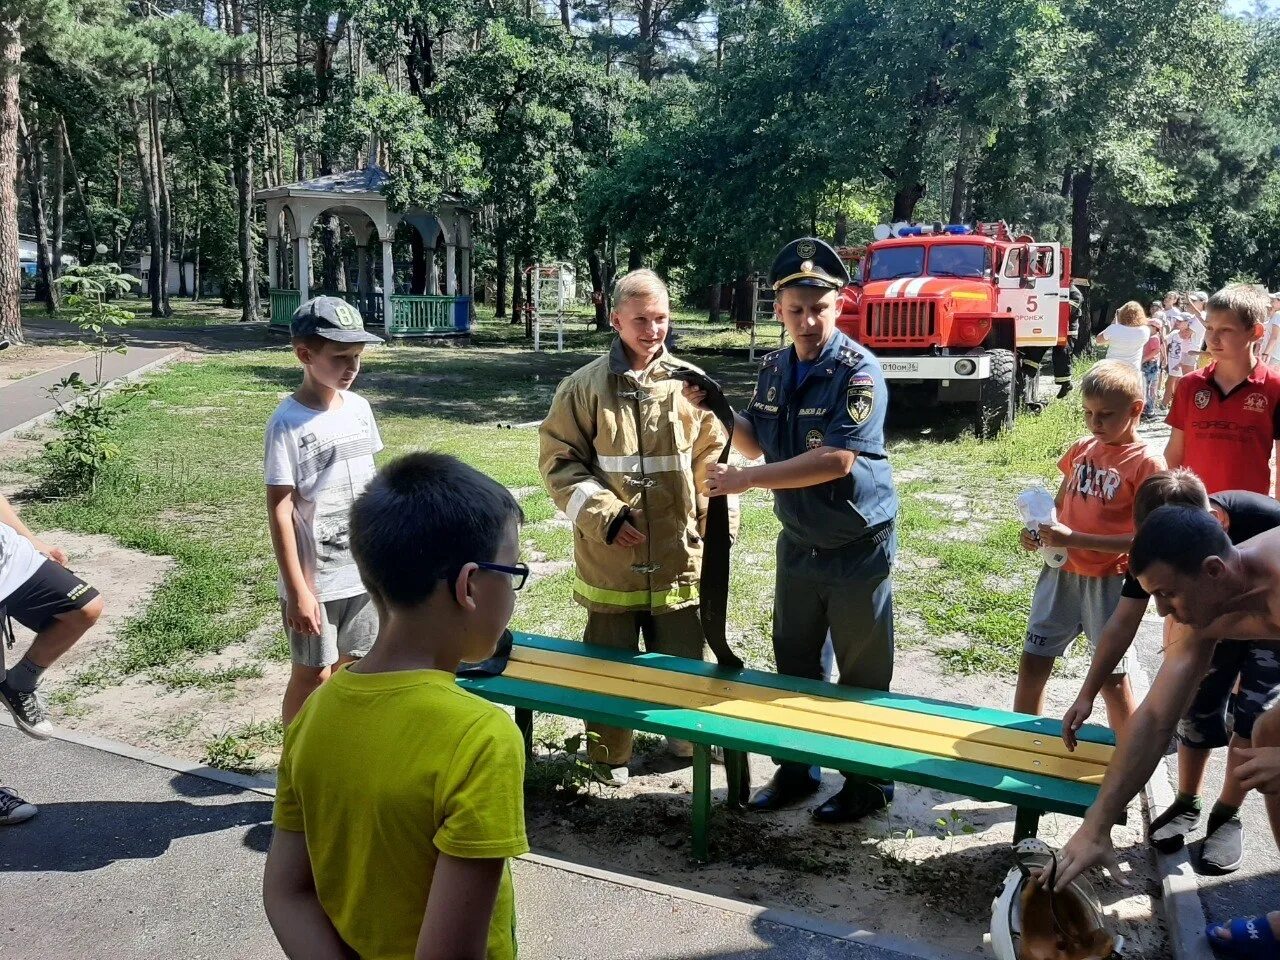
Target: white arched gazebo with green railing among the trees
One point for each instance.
(444, 308)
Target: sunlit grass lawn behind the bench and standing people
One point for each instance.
(189, 486)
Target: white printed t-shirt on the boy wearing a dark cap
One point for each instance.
(327, 456)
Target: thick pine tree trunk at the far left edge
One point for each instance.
(11, 273)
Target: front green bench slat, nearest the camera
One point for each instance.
(950, 775)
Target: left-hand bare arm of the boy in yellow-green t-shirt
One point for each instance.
(294, 909)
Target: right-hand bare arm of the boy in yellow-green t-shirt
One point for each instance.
(460, 909)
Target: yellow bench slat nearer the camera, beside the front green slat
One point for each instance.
(792, 719)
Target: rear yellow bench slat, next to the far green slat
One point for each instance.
(908, 721)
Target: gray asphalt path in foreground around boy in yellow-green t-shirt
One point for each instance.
(135, 862)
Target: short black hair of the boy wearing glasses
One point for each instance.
(420, 520)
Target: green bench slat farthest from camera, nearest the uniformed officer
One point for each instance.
(988, 716)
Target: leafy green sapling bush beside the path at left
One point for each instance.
(83, 450)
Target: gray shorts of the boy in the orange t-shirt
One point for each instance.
(1068, 605)
